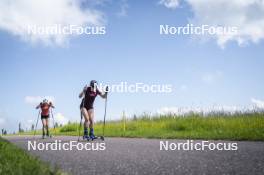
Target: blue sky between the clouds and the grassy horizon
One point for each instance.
(201, 72)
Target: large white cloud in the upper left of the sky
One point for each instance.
(16, 15)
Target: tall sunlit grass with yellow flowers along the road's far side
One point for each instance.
(225, 127)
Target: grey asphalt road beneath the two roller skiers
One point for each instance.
(143, 156)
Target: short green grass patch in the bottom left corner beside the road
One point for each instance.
(14, 160)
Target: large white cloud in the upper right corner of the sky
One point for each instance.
(247, 16)
